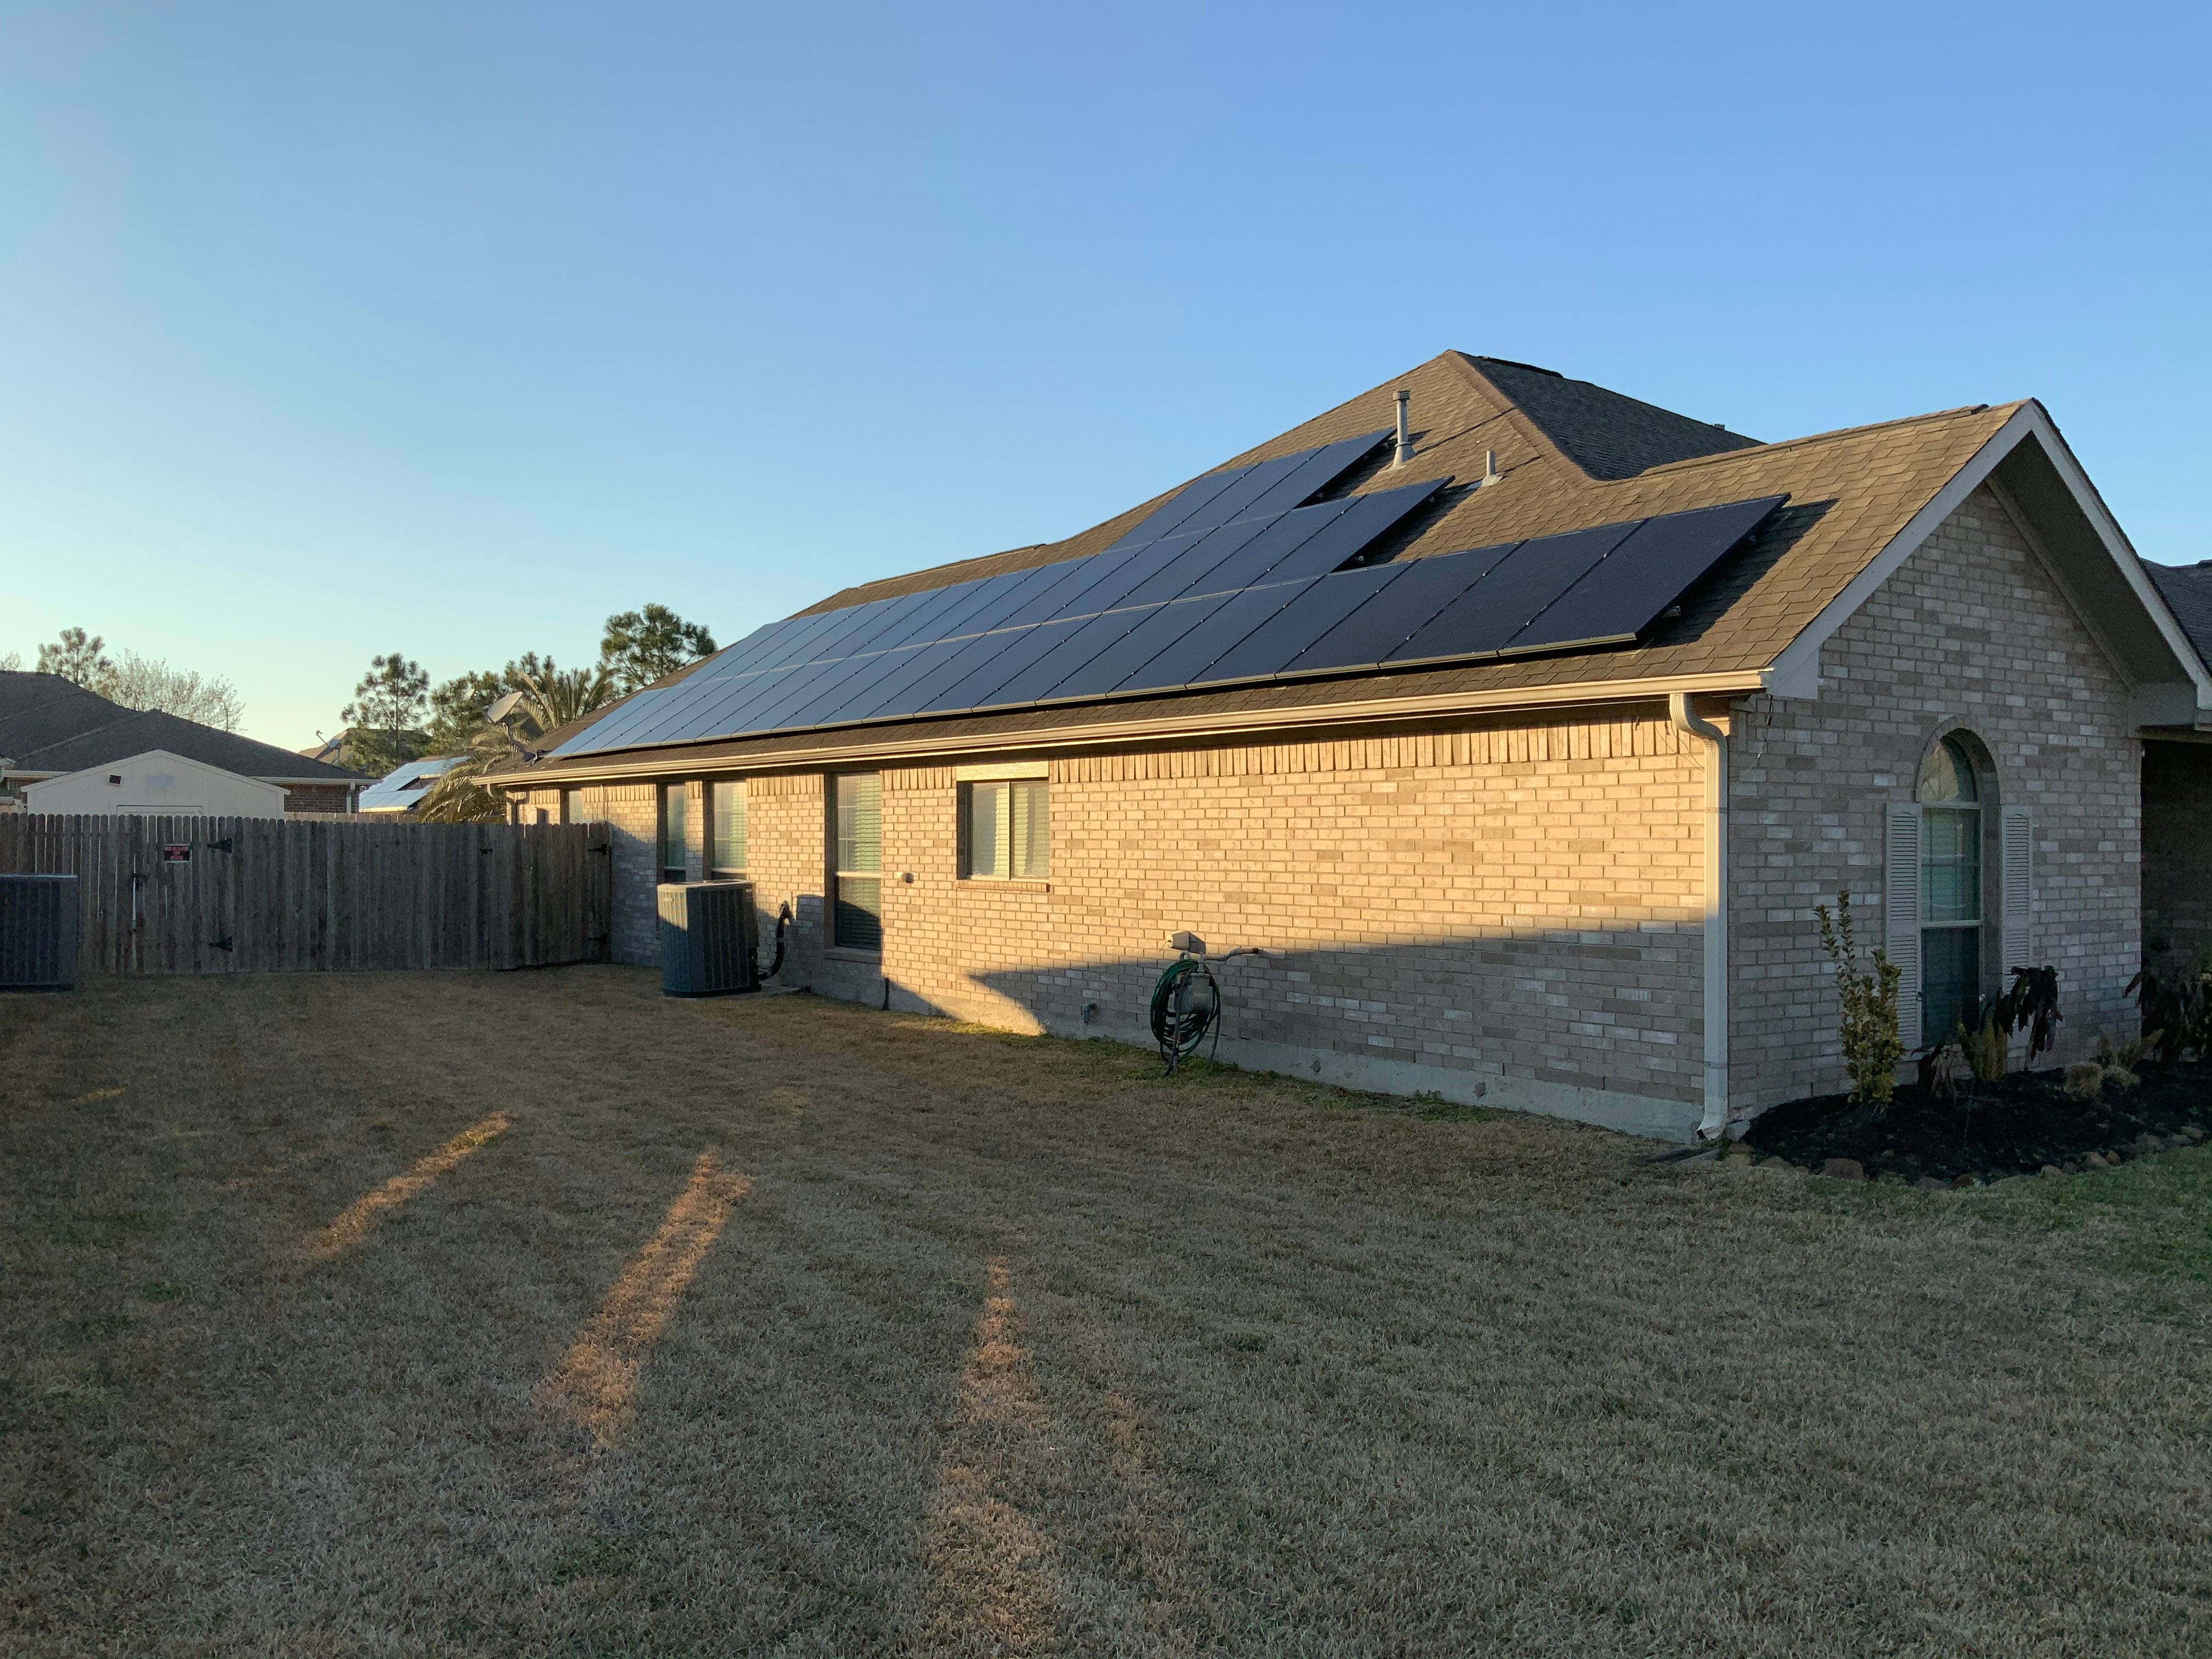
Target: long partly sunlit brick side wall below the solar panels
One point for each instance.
(1503, 912)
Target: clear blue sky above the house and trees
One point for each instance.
(342, 328)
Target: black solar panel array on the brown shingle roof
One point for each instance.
(1231, 581)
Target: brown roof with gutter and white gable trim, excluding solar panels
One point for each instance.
(1859, 503)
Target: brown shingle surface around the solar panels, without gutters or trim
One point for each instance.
(1561, 452)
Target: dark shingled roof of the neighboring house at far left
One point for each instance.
(50, 724)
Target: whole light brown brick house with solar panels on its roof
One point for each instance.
(1569, 879)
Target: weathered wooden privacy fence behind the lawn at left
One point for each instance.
(289, 895)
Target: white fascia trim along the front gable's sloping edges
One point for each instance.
(1797, 669)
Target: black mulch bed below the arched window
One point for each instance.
(2012, 1127)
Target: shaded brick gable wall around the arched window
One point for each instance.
(1970, 634)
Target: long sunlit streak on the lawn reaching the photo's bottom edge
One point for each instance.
(992, 1567)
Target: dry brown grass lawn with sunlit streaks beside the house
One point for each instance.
(390, 1315)
